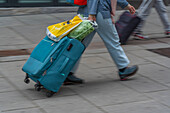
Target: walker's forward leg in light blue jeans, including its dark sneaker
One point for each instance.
(109, 35)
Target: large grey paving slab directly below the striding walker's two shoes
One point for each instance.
(107, 92)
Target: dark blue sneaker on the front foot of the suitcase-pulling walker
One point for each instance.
(128, 72)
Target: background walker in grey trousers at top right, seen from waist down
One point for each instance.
(144, 11)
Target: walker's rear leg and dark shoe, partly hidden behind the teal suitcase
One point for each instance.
(72, 79)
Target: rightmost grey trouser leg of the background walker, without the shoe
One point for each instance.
(162, 11)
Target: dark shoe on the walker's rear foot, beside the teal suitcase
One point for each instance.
(72, 79)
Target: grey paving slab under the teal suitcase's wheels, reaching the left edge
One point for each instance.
(12, 70)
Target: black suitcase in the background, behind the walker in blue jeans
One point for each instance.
(126, 25)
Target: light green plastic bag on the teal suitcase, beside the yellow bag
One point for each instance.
(82, 30)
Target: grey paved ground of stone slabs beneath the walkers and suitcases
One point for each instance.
(147, 92)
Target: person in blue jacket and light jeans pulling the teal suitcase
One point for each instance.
(102, 11)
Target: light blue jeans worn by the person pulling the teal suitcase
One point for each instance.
(108, 33)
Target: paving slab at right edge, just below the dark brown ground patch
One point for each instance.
(165, 61)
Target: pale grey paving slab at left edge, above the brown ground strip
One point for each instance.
(9, 37)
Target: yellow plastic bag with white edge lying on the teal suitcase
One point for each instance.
(58, 31)
